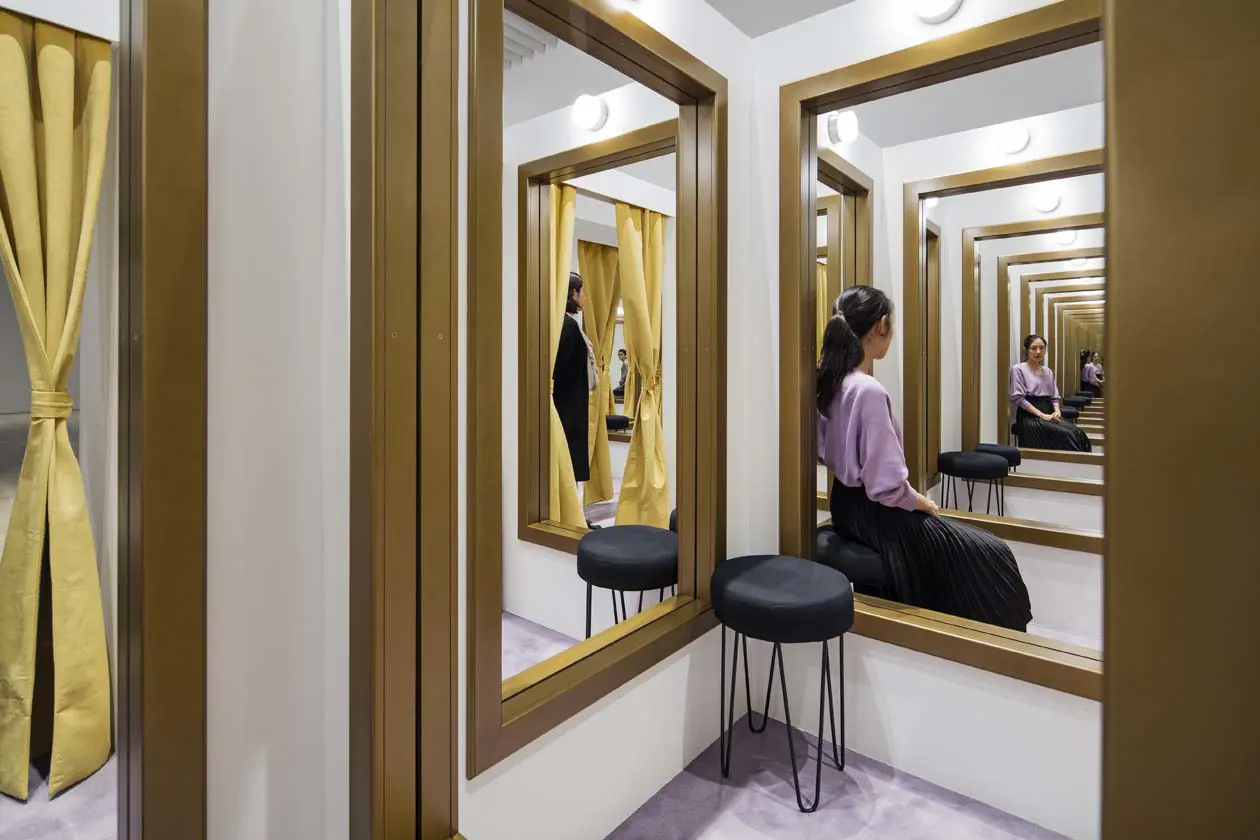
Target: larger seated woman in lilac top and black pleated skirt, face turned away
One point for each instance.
(936, 564)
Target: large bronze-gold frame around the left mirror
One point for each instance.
(505, 717)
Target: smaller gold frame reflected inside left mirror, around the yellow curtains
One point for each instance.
(534, 431)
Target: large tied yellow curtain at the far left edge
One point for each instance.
(55, 113)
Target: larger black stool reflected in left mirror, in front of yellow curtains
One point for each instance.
(627, 559)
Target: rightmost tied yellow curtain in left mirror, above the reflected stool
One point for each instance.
(644, 498)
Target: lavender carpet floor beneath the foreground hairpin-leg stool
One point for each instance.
(869, 802)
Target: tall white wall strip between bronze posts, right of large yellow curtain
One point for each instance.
(279, 426)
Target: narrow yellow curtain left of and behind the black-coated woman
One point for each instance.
(564, 503)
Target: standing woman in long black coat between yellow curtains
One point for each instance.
(574, 380)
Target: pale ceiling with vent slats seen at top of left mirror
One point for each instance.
(549, 80)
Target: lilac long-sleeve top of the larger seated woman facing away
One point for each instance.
(860, 441)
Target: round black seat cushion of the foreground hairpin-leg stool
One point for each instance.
(782, 599)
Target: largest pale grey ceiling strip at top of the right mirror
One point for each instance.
(1045, 85)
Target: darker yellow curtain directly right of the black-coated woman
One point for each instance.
(602, 281)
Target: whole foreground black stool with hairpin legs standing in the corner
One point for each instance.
(784, 601)
